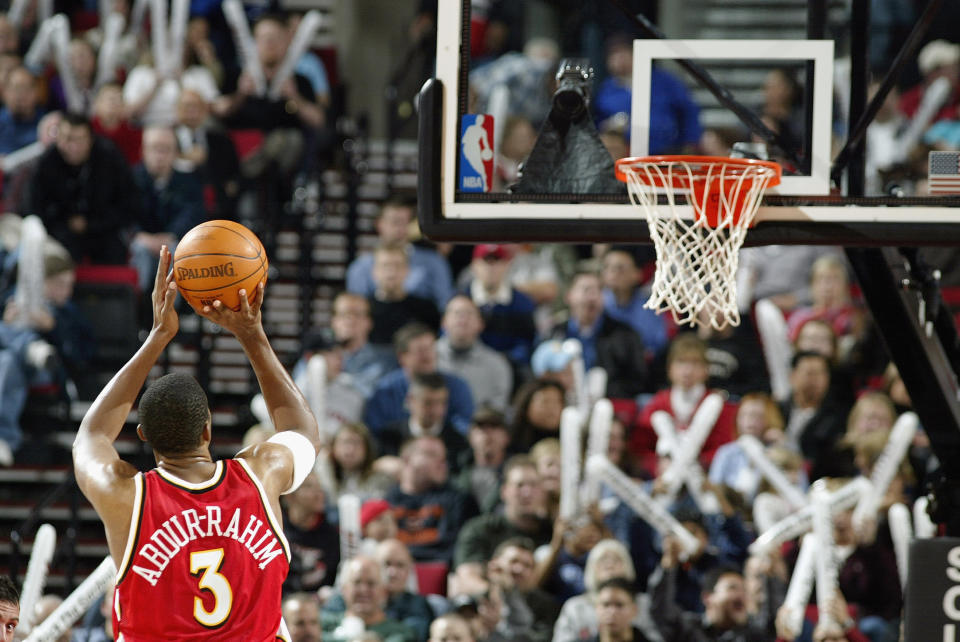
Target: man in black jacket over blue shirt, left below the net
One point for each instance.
(607, 343)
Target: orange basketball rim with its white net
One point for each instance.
(697, 264)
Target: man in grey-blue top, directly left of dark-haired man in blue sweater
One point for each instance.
(351, 325)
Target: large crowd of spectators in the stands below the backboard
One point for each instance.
(456, 455)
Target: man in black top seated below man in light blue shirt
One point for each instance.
(391, 305)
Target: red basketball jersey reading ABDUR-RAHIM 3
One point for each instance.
(203, 561)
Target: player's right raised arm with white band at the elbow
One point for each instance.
(284, 460)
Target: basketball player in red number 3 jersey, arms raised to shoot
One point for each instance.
(199, 550)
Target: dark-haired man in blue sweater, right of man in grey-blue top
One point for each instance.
(416, 350)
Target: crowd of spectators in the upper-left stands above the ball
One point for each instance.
(118, 153)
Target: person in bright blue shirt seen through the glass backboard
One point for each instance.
(674, 117)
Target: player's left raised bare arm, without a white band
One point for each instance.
(97, 465)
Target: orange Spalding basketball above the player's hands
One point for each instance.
(217, 259)
